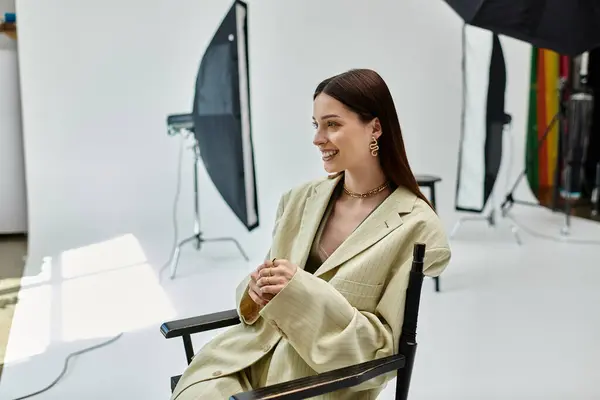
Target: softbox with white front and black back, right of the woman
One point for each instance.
(483, 118)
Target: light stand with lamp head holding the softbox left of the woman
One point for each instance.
(183, 124)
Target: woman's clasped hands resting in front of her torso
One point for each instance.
(269, 279)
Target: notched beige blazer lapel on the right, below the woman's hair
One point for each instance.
(381, 222)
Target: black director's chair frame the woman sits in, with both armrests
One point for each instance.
(334, 380)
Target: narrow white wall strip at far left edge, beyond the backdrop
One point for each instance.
(13, 202)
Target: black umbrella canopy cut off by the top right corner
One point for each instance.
(569, 27)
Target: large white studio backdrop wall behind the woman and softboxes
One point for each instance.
(99, 78)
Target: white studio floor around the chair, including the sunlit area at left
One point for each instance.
(512, 321)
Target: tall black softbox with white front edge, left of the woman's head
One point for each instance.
(221, 115)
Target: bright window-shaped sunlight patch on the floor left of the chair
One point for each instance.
(95, 291)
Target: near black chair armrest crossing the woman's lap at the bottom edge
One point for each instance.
(327, 382)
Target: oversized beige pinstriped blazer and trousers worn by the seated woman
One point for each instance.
(350, 311)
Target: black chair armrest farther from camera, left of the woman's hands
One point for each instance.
(199, 324)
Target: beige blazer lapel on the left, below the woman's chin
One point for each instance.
(314, 209)
